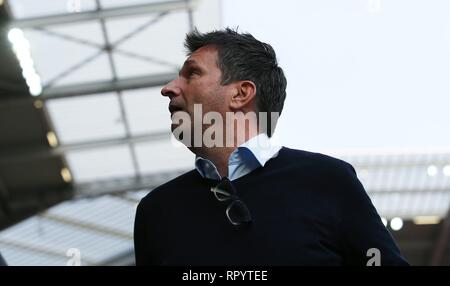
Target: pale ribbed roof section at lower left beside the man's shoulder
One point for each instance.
(42, 240)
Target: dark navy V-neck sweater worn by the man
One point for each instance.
(306, 208)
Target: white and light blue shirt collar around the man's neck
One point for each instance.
(244, 159)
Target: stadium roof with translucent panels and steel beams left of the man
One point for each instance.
(100, 125)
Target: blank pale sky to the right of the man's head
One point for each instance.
(362, 74)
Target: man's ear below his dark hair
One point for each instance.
(244, 95)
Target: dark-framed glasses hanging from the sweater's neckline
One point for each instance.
(236, 211)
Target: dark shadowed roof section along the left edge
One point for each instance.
(27, 184)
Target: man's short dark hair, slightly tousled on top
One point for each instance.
(242, 57)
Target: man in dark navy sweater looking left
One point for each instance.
(249, 201)
